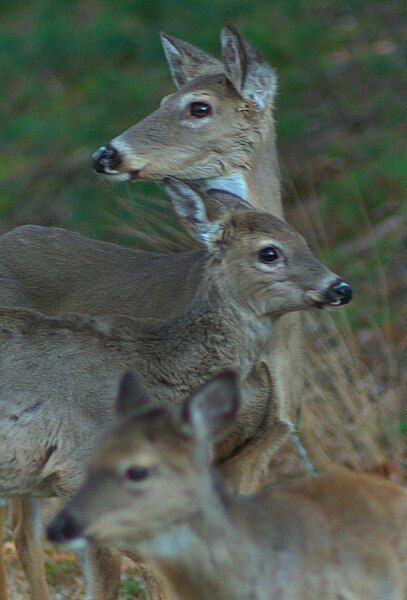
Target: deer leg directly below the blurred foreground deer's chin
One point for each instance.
(101, 573)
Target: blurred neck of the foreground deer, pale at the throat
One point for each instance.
(203, 557)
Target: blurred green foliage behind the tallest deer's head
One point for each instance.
(75, 74)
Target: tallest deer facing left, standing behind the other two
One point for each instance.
(216, 132)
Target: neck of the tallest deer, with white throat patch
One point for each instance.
(257, 181)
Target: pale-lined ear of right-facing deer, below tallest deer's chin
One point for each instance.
(190, 208)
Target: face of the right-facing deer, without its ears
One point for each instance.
(270, 269)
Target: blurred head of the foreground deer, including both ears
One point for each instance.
(147, 474)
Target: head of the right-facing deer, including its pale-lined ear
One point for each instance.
(259, 261)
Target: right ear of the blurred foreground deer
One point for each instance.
(211, 410)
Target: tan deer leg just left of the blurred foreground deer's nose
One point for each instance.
(26, 525)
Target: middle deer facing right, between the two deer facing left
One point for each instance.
(257, 269)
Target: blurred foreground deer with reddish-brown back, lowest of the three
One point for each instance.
(151, 489)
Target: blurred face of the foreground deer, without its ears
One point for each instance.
(139, 483)
